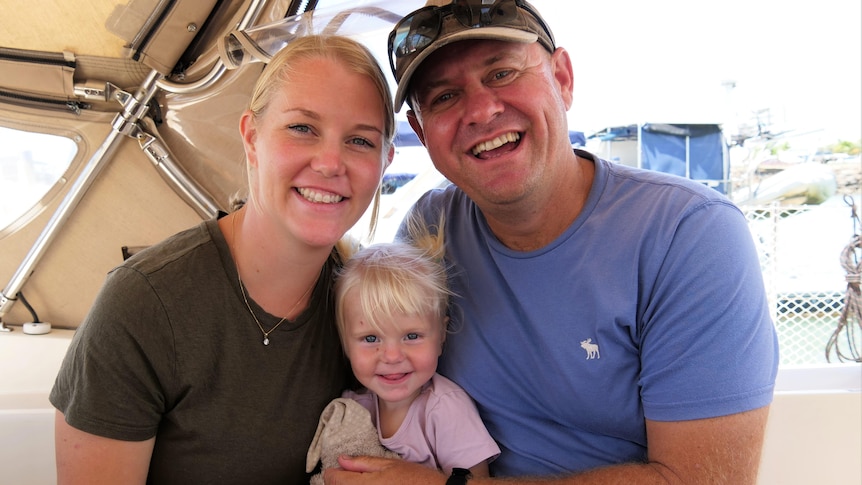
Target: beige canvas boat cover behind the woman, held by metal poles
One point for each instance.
(192, 116)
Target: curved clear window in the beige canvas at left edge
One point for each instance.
(31, 164)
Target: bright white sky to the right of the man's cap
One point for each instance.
(797, 63)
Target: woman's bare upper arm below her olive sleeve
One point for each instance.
(84, 458)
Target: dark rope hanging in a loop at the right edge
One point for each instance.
(850, 322)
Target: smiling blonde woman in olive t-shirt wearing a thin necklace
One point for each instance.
(208, 357)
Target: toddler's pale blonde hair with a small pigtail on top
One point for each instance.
(397, 278)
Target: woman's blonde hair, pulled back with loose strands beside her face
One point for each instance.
(353, 55)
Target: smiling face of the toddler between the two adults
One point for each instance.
(396, 362)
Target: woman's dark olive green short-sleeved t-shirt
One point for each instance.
(170, 350)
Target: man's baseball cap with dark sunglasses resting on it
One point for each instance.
(442, 22)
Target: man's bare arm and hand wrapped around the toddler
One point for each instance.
(723, 450)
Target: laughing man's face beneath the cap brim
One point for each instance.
(493, 117)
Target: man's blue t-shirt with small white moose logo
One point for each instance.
(650, 305)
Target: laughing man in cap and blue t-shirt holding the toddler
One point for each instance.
(612, 324)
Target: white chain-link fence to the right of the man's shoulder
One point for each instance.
(800, 255)
